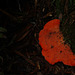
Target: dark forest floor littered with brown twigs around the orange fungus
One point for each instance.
(20, 24)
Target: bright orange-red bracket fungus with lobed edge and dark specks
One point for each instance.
(53, 48)
